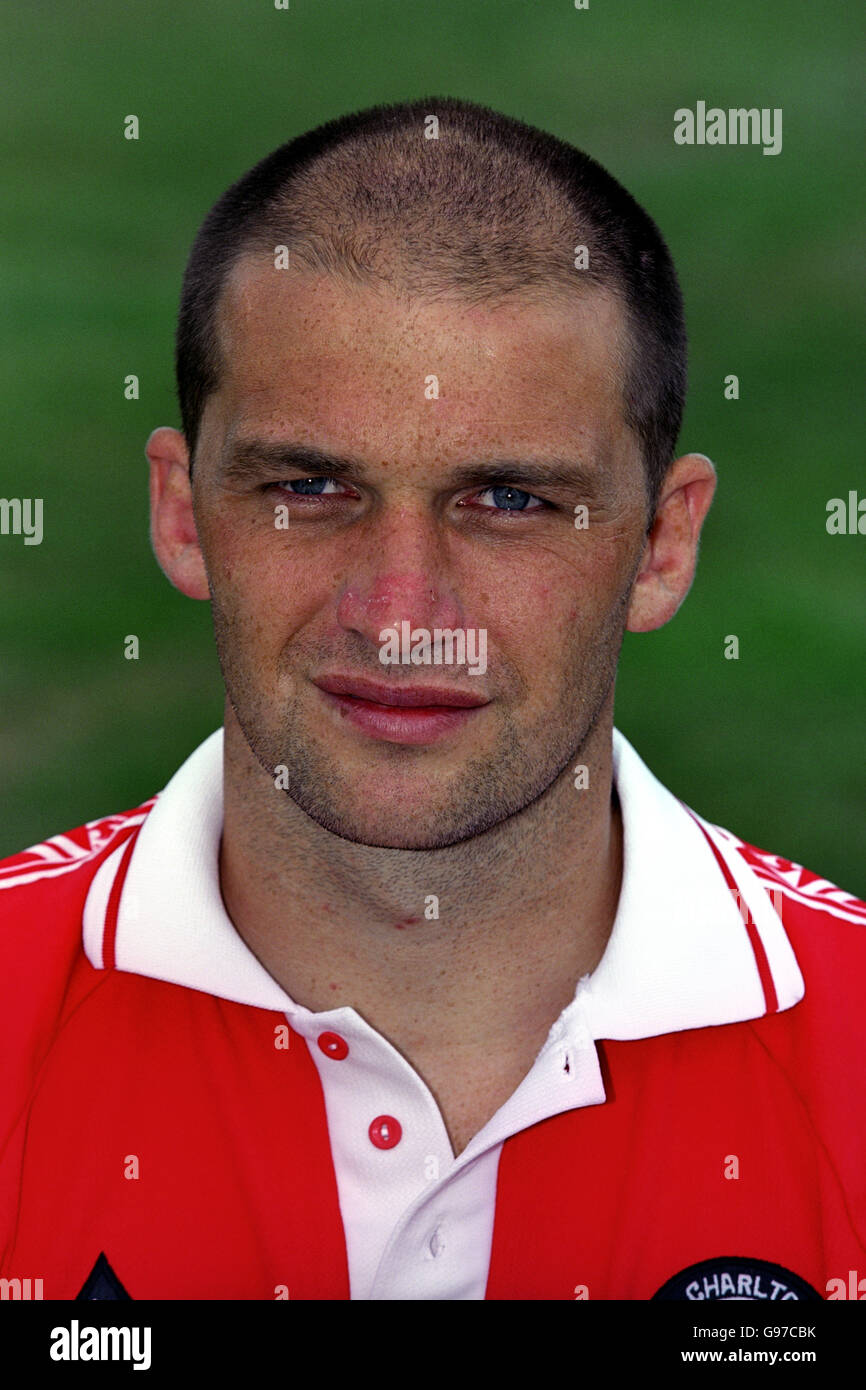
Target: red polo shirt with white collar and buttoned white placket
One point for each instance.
(694, 1127)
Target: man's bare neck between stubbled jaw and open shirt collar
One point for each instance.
(476, 936)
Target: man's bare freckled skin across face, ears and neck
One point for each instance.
(525, 868)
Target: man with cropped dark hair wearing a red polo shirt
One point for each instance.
(415, 983)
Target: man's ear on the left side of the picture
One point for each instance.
(173, 528)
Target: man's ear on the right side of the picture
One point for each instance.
(671, 555)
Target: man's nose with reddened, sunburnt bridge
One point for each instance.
(405, 576)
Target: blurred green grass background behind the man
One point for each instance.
(98, 230)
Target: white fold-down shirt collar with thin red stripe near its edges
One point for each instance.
(679, 956)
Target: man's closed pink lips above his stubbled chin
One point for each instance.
(400, 714)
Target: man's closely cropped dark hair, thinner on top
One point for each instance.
(484, 209)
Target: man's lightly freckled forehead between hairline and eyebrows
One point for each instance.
(325, 361)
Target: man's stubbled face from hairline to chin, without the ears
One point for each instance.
(307, 576)
